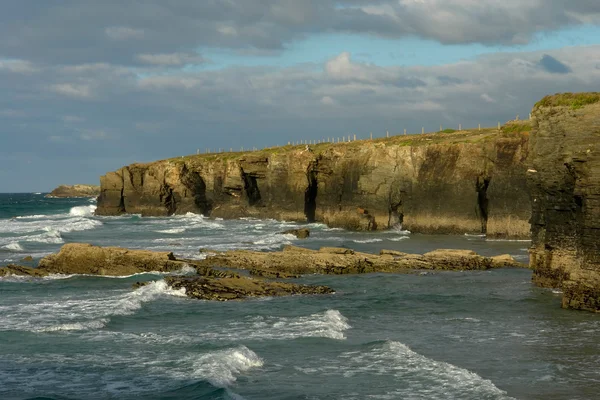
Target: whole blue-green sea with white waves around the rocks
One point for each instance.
(444, 335)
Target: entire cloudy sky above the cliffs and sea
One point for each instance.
(88, 86)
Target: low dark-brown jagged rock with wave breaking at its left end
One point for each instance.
(225, 289)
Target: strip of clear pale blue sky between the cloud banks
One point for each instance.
(410, 51)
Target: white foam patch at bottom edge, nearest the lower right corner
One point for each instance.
(416, 376)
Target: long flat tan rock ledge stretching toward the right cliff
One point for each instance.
(293, 261)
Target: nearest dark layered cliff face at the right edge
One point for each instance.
(564, 177)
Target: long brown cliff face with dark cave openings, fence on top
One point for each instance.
(469, 181)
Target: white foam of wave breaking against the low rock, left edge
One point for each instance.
(85, 313)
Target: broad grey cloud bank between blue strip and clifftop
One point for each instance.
(139, 114)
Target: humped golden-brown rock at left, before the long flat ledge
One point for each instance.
(79, 258)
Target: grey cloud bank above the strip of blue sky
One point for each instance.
(152, 29)
